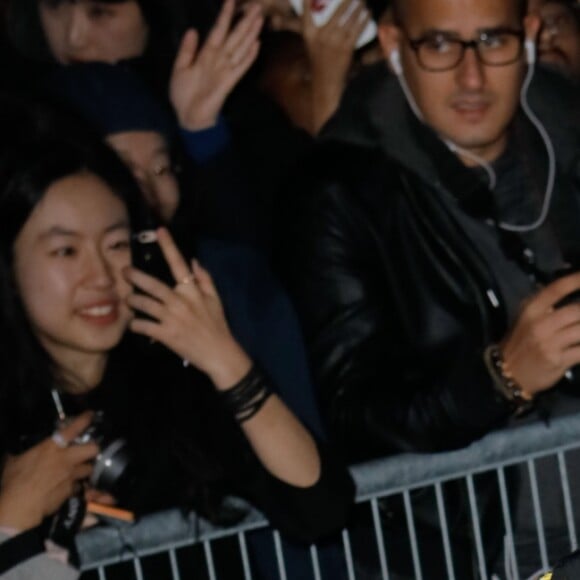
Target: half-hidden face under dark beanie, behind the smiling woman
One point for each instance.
(147, 156)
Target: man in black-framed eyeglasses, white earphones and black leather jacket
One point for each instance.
(432, 261)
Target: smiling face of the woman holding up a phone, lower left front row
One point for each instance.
(68, 265)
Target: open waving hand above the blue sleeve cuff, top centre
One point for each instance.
(203, 77)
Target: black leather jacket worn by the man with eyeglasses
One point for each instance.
(399, 280)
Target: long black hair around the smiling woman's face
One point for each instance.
(27, 169)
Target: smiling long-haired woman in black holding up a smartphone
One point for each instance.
(67, 298)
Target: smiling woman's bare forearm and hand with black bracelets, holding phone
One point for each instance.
(190, 321)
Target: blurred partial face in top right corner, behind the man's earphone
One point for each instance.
(559, 40)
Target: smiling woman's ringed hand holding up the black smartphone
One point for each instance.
(188, 318)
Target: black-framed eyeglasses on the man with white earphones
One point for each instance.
(438, 52)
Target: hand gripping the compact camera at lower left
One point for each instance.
(36, 483)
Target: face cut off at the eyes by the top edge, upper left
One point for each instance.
(91, 31)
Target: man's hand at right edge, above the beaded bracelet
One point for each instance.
(545, 341)
